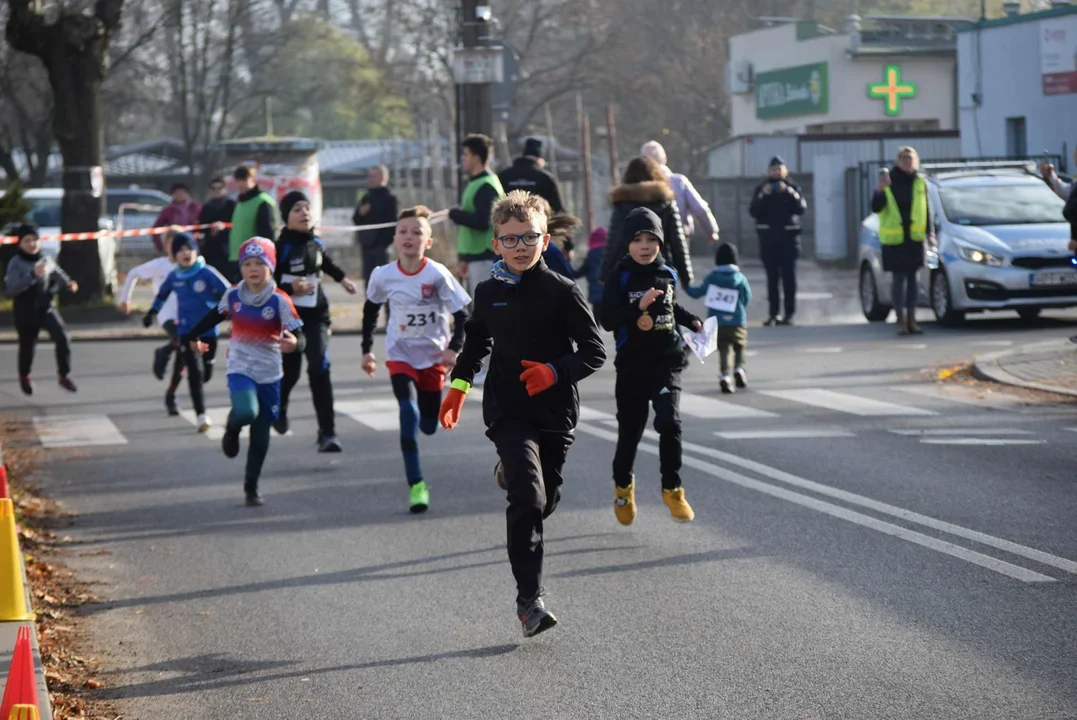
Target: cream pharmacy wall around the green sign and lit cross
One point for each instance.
(776, 49)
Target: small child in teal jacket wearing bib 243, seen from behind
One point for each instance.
(729, 295)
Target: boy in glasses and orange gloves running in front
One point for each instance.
(544, 342)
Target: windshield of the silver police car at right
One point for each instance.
(1027, 204)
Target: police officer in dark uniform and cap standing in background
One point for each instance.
(777, 206)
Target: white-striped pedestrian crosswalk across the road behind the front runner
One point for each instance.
(918, 412)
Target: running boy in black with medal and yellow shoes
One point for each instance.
(640, 308)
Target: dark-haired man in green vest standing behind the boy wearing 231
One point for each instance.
(474, 232)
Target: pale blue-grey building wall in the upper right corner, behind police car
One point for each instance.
(1009, 66)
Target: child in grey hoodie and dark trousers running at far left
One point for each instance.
(33, 280)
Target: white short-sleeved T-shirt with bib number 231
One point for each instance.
(421, 306)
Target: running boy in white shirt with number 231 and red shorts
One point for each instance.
(422, 294)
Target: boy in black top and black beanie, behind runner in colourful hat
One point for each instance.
(301, 261)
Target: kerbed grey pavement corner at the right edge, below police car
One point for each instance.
(1050, 366)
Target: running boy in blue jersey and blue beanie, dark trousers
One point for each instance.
(199, 289)
